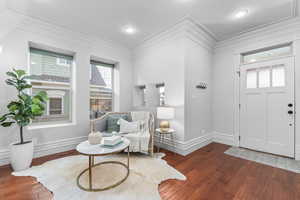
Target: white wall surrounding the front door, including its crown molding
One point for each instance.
(226, 61)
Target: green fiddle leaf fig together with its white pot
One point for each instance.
(21, 112)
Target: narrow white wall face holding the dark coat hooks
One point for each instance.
(198, 69)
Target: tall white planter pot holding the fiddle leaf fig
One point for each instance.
(21, 156)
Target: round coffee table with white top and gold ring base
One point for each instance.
(91, 151)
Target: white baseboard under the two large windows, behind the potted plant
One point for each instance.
(45, 149)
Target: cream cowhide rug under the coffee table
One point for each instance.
(146, 173)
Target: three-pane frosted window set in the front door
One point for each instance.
(266, 77)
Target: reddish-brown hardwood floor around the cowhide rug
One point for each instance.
(210, 173)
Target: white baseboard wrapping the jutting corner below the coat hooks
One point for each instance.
(184, 147)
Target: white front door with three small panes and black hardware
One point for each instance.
(267, 106)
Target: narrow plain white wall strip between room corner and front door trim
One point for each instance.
(223, 94)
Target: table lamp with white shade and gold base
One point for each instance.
(165, 113)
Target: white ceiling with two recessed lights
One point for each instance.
(105, 18)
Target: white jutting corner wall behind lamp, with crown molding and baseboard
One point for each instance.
(181, 57)
